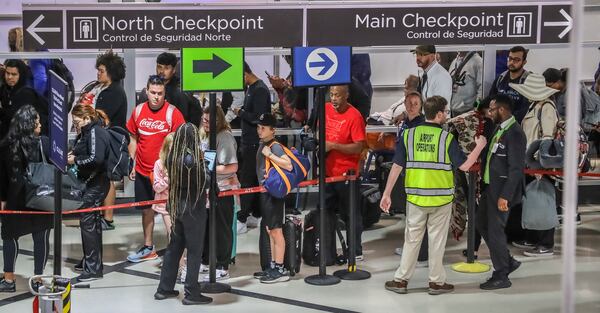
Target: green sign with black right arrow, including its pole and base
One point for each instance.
(212, 69)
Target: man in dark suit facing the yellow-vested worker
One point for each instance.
(503, 179)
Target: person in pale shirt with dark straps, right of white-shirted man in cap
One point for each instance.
(466, 72)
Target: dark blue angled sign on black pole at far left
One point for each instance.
(58, 156)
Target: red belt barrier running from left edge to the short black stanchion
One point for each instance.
(240, 191)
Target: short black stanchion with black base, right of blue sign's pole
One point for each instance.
(352, 273)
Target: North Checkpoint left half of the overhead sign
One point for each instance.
(104, 26)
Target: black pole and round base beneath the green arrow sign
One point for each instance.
(212, 286)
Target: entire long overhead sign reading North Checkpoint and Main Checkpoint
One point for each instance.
(102, 26)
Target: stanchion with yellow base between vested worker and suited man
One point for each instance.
(471, 266)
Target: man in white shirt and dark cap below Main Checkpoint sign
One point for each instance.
(435, 79)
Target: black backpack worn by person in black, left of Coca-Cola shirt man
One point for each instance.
(118, 162)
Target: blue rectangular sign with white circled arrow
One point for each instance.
(321, 66)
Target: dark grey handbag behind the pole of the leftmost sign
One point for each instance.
(39, 187)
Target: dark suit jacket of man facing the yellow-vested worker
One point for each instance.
(507, 179)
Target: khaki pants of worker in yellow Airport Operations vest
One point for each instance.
(437, 220)
